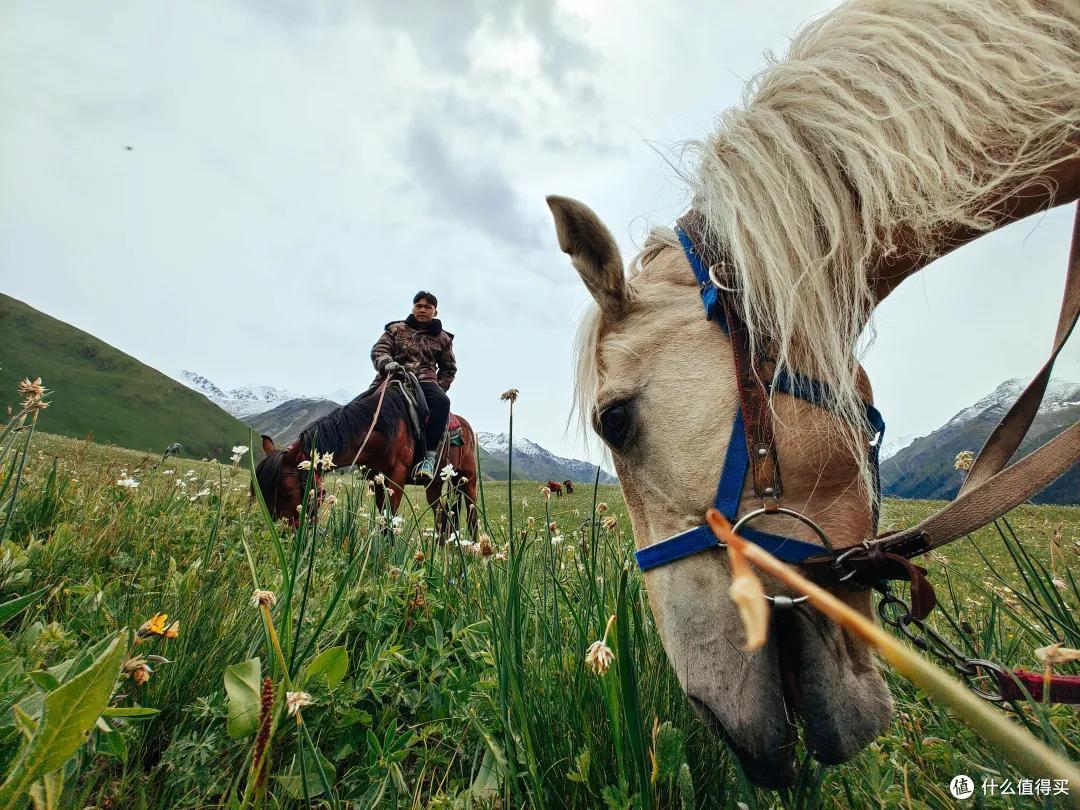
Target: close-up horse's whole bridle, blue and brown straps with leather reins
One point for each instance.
(990, 491)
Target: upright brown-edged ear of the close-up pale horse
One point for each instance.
(593, 252)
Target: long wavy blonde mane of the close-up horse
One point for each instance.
(888, 119)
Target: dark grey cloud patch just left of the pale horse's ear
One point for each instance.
(477, 196)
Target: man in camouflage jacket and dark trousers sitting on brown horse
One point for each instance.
(420, 345)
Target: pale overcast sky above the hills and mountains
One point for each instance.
(303, 168)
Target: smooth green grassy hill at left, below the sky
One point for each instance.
(101, 391)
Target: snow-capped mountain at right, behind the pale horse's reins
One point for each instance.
(925, 468)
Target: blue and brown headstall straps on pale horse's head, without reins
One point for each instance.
(751, 448)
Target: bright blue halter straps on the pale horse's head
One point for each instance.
(737, 462)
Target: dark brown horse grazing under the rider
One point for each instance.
(389, 448)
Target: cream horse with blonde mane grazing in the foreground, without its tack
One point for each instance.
(893, 133)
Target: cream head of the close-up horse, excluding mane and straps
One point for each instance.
(659, 383)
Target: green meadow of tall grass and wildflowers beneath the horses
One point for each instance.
(436, 677)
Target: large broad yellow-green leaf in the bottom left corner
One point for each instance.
(67, 717)
